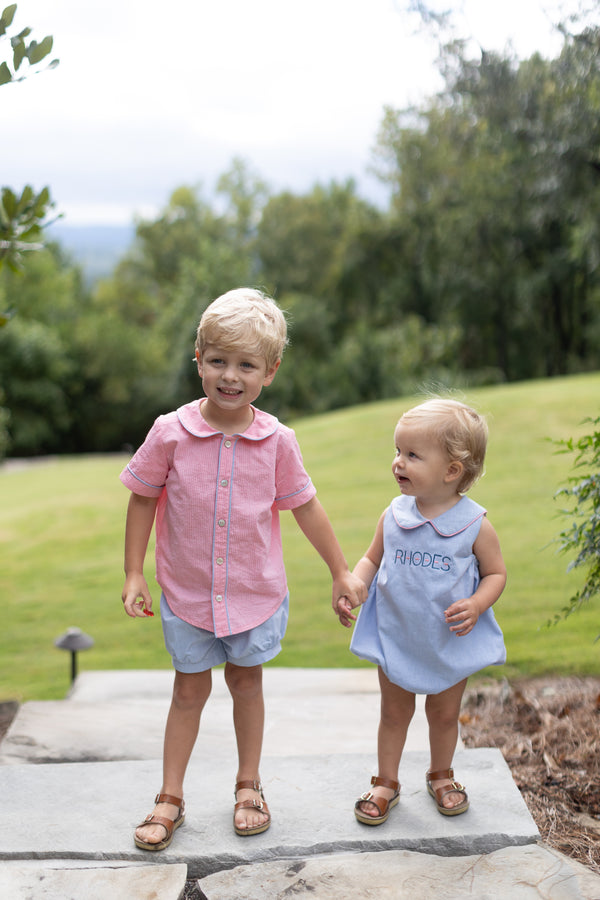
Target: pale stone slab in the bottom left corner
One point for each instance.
(61, 880)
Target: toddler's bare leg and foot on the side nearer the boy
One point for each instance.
(397, 709)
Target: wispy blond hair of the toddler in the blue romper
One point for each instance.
(460, 430)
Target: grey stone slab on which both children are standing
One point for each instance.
(89, 810)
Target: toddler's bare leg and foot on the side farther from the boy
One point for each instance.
(442, 712)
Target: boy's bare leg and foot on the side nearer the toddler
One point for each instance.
(245, 686)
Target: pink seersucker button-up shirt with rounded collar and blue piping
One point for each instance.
(219, 558)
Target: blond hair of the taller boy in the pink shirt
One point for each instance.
(244, 319)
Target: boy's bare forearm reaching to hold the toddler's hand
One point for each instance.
(313, 521)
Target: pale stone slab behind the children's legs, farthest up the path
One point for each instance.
(120, 715)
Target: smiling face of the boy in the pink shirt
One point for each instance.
(233, 378)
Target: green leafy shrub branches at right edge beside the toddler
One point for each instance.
(583, 535)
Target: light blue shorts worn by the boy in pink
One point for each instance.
(193, 649)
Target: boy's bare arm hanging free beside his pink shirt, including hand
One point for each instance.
(140, 518)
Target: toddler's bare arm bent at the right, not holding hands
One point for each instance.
(462, 615)
